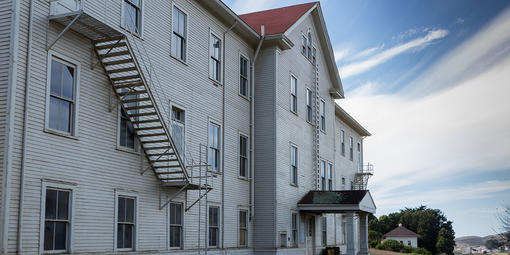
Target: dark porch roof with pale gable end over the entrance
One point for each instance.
(338, 201)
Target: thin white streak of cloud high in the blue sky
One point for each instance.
(365, 65)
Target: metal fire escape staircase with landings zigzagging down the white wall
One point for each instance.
(132, 82)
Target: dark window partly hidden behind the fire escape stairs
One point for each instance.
(127, 136)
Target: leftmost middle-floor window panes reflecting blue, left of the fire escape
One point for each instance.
(62, 96)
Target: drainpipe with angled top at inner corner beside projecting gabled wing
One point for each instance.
(252, 124)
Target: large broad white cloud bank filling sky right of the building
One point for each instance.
(464, 128)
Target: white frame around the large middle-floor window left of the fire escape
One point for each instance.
(74, 123)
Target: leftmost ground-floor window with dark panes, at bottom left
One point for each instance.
(57, 219)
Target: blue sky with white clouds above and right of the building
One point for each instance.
(430, 80)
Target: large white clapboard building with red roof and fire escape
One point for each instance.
(162, 127)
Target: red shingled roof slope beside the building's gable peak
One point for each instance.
(276, 21)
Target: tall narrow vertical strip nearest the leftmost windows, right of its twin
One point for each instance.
(25, 129)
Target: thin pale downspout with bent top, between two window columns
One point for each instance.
(223, 141)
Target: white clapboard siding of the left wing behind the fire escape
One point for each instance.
(92, 160)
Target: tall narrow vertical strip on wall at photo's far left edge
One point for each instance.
(9, 131)
